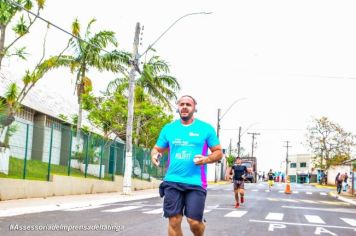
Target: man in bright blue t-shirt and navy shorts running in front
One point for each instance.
(184, 187)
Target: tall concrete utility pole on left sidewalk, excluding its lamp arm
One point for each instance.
(134, 69)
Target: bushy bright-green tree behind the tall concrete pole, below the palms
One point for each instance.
(109, 113)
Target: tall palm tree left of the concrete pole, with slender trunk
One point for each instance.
(88, 54)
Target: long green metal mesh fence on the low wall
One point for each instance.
(41, 149)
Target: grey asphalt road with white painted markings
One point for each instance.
(307, 211)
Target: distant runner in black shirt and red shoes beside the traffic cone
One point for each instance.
(238, 172)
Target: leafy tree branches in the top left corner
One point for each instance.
(8, 12)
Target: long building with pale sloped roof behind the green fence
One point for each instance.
(41, 134)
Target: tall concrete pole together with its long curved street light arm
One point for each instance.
(135, 62)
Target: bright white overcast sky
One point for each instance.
(285, 62)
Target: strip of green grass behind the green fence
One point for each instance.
(38, 170)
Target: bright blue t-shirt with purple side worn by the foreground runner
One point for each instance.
(184, 142)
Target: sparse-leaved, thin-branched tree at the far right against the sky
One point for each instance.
(329, 143)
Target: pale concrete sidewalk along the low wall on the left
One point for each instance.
(36, 205)
